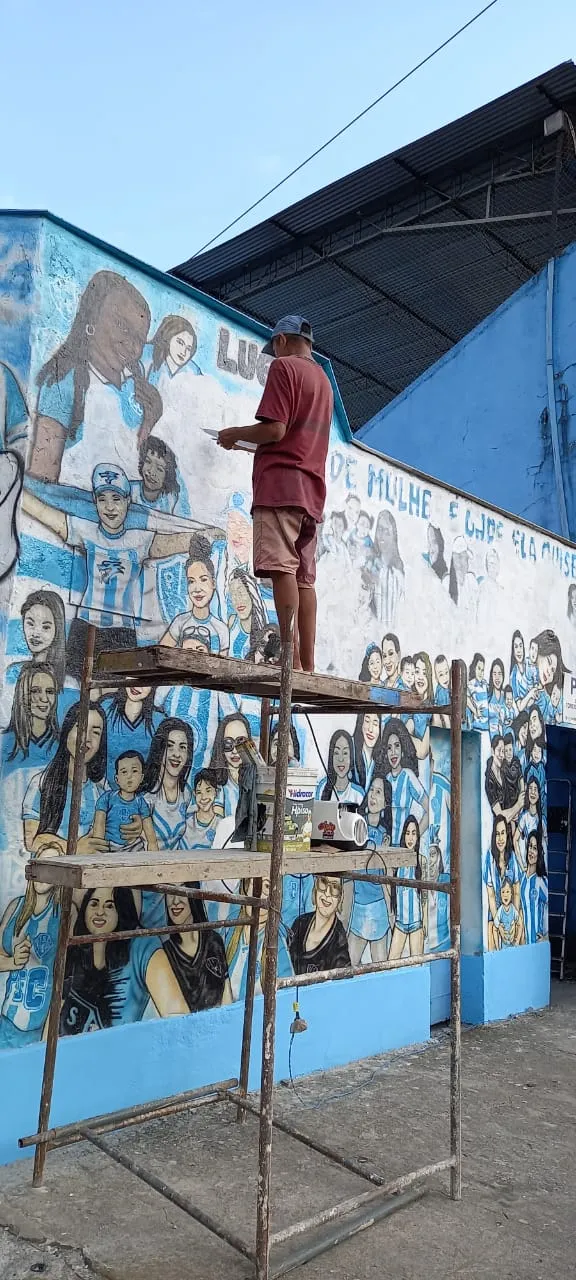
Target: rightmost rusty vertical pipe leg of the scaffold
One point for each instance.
(456, 998)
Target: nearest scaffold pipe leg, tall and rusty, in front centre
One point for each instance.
(271, 962)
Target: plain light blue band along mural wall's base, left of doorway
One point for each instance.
(348, 1021)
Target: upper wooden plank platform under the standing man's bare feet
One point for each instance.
(157, 665)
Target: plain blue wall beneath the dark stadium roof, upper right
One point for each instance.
(476, 419)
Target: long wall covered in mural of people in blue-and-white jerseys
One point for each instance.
(120, 510)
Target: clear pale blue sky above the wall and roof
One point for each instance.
(154, 125)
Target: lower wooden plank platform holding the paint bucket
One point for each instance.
(202, 865)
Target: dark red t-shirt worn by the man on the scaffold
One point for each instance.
(292, 472)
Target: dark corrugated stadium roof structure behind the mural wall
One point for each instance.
(396, 263)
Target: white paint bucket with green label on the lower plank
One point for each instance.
(300, 792)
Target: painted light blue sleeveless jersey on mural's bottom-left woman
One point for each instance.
(28, 998)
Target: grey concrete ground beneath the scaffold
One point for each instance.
(516, 1222)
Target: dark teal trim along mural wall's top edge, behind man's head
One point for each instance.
(172, 282)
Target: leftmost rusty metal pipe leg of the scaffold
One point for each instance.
(66, 911)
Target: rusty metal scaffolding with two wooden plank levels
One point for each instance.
(273, 1254)
